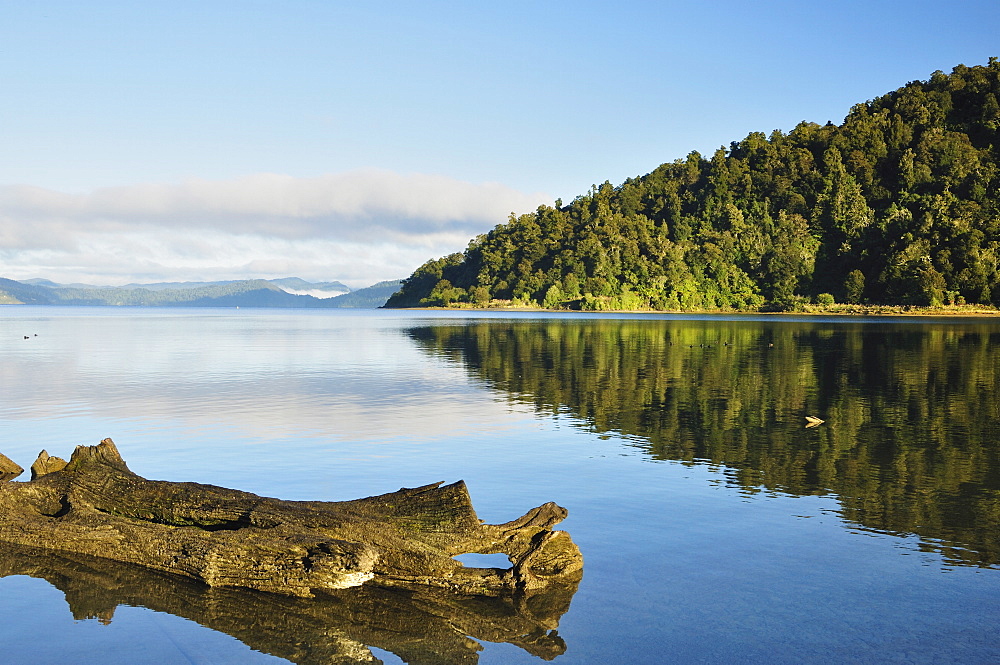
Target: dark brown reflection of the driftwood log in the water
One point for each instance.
(421, 625)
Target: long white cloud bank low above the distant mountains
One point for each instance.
(358, 227)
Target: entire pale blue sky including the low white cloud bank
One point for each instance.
(148, 141)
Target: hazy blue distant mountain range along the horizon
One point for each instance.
(286, 292)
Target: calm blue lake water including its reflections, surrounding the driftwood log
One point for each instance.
(715, 526)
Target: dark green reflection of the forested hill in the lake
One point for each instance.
(913, 412)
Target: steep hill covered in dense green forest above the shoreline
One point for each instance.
(897, 205)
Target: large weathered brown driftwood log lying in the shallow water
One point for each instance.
(94, 505)
